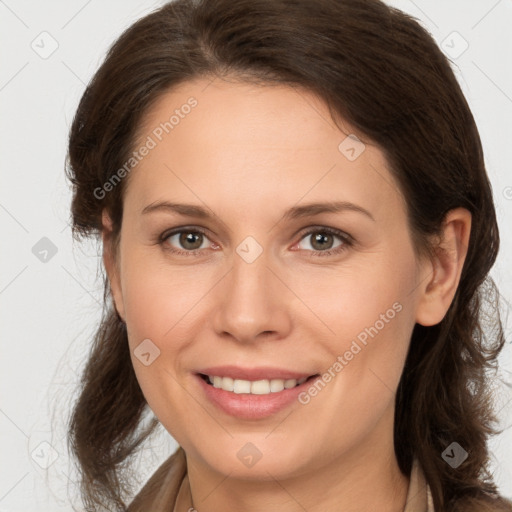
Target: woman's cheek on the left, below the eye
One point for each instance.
(159, 305)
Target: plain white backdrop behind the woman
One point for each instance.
(51, 288)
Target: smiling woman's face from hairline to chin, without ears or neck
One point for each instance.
(263, 281)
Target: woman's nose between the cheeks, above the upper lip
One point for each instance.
(253, 303)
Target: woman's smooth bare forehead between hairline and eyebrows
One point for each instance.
(245, 143)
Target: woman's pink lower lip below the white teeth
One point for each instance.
(253, 407)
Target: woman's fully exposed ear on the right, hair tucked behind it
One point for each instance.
(442, 274)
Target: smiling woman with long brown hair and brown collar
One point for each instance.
(297, 231)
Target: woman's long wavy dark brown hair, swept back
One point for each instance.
(380, 70)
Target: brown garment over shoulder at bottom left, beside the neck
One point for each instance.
(162, 488)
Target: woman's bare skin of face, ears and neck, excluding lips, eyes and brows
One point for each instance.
(248, 153)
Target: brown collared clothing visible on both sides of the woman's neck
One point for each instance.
(168, 489)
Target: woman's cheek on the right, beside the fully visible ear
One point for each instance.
(370, 312)
